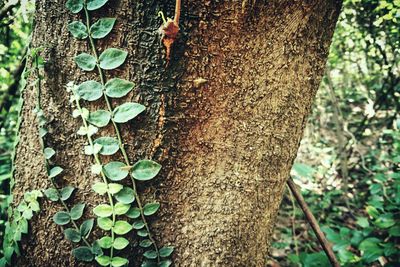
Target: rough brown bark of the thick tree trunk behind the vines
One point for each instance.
(227, 145)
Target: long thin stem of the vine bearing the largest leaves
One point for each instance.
(117, 132)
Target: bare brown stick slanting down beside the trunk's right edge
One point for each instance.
(313, 223)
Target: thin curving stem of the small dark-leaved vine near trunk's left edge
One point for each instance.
(41, 141)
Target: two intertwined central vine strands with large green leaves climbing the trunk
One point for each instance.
(123, 212)
